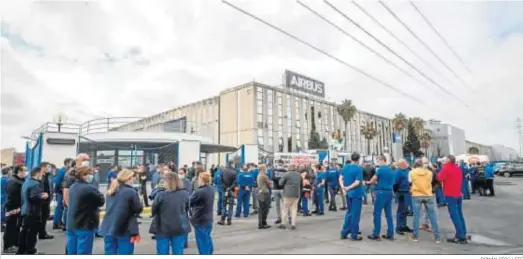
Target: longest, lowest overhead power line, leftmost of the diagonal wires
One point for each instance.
(327, 54)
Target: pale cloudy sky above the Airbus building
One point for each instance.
(138, 58)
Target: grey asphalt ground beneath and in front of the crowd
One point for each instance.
(493, 222)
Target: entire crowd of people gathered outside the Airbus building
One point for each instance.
(183, 200)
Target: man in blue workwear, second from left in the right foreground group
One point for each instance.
(384, 181)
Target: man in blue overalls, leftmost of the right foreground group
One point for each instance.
(352, 184)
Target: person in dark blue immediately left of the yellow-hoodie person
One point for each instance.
(402, 189)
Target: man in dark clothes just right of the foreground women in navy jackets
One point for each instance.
(228, 181)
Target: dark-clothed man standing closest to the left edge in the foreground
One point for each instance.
(12, 208)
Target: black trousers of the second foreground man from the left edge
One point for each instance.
(28, 235)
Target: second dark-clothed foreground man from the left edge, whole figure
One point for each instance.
(33, 196)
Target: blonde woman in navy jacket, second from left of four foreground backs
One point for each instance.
(120, 224)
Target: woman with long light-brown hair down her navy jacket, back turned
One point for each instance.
(170, 221)
